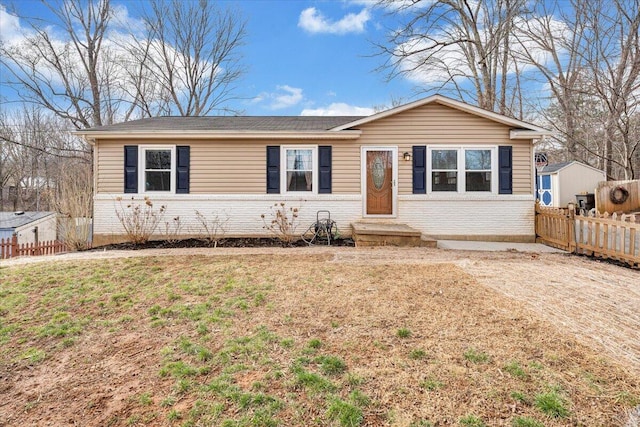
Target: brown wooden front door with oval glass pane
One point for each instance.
(379, 189)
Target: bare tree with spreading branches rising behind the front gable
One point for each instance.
(451, 42)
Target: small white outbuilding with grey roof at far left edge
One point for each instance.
(30, 227)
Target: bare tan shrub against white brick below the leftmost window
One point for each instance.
(139, 221)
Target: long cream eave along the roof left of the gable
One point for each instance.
(91, 136)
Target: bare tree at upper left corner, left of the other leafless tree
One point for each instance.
(62, 77)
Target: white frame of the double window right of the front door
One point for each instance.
(461, 170)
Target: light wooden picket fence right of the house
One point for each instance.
(603, 236)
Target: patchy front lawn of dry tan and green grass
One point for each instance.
(299, 339)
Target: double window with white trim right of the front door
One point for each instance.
(462, 169)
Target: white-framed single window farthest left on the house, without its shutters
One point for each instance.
(157, 169)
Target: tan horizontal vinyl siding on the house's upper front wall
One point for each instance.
(239, 166)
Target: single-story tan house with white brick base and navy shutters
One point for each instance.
(443, 167)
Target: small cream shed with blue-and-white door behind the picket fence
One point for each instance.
(558, 183)
